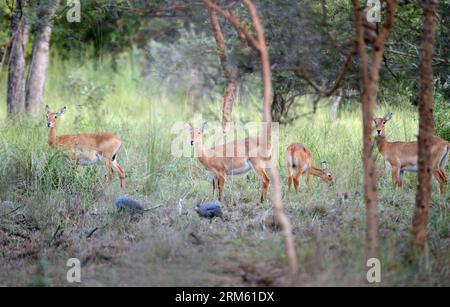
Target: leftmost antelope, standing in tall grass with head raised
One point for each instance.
(87, 148)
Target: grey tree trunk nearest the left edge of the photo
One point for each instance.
(15, 99)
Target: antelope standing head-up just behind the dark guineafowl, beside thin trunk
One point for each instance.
(246, 155)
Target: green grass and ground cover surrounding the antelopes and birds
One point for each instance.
(61, 205)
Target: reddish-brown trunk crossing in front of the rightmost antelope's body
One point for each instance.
(423, 195)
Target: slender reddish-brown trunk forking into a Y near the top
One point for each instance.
(369, 88)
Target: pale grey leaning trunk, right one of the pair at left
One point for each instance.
(39, 60)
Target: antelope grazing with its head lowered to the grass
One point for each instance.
(299, 162)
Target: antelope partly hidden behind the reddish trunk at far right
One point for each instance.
(403, 156)
